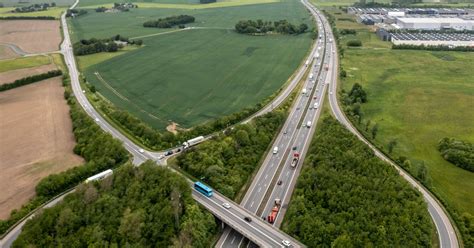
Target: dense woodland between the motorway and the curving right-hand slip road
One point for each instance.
(347, 197)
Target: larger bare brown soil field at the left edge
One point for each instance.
(36, 140)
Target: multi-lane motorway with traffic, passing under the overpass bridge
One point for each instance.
(294, 134)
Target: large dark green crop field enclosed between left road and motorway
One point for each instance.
(194, 75)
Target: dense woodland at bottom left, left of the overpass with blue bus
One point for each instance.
(146, 206)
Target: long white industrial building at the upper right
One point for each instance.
(434, 23)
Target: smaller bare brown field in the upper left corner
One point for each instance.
(32, 36)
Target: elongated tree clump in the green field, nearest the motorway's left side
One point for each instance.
(263, 27)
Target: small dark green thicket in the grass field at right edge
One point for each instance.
(458, 152)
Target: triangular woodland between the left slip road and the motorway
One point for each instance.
(226, 162)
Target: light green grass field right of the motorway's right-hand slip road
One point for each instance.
(417, 98)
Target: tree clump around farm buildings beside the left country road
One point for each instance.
(93, 45)
